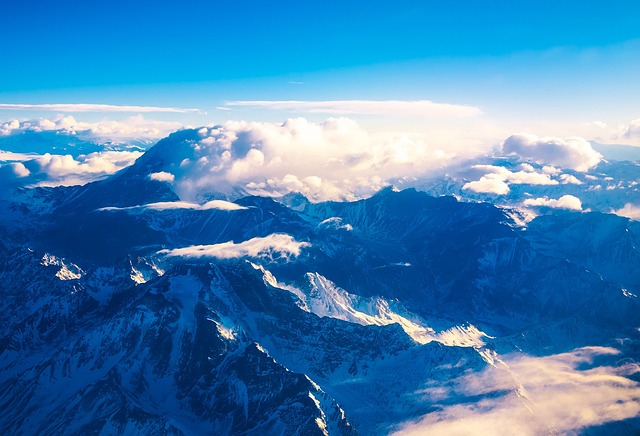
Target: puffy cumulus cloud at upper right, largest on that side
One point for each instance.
(574, 152)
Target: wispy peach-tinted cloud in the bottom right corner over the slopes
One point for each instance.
(535, 395)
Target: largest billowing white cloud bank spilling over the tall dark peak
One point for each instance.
(336, 159)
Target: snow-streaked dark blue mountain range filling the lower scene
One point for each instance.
(436, 306)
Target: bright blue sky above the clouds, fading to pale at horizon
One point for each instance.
(547, 66)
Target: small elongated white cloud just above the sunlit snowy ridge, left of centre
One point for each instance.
(274, 245)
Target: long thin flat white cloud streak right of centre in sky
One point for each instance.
(423, 108)
